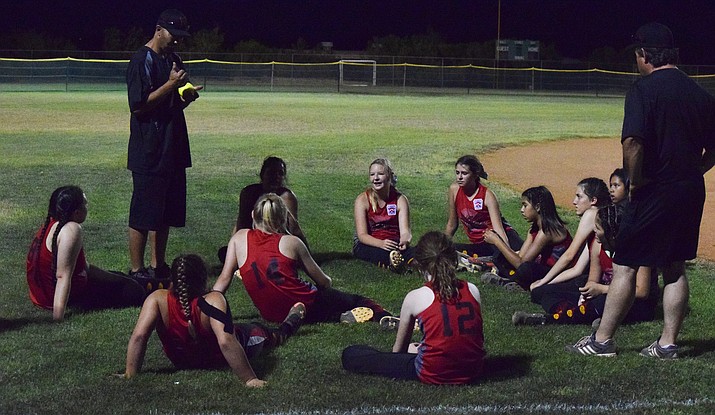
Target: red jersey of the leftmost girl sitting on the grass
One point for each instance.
(40, 278)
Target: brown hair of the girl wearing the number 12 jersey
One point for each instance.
(436, 256)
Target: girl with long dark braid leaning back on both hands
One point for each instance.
(197, 330)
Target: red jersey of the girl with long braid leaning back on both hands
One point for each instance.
(184, 351)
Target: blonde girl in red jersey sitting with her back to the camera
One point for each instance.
(268, 259)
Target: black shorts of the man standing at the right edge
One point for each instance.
(661, 224)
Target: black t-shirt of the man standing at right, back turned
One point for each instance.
(674, 118)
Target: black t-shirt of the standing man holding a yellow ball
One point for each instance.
(158, 140)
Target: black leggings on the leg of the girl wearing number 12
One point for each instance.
(368, 360)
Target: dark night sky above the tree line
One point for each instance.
(575, 27)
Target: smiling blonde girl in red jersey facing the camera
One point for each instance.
(382, 221)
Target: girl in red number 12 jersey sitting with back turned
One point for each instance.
(448, 311)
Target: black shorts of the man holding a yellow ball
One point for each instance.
(158, 201)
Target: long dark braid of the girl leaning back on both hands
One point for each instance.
(189, 276)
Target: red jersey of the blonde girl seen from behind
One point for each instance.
(271, 278)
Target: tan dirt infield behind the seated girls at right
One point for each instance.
(559, 165)
